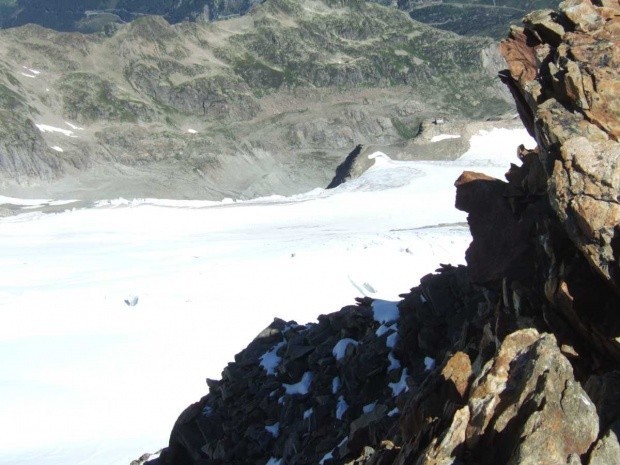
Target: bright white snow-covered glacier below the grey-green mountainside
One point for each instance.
(111, 317)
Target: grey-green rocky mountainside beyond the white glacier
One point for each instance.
(270, 102)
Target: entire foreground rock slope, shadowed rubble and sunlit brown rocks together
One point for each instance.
(514, 359)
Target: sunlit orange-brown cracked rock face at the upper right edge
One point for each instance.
(565, 66)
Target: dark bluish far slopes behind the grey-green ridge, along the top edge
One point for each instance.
(466, 17)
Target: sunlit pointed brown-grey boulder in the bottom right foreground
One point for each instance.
(526, 403)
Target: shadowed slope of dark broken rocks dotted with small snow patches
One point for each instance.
(371, 374)
